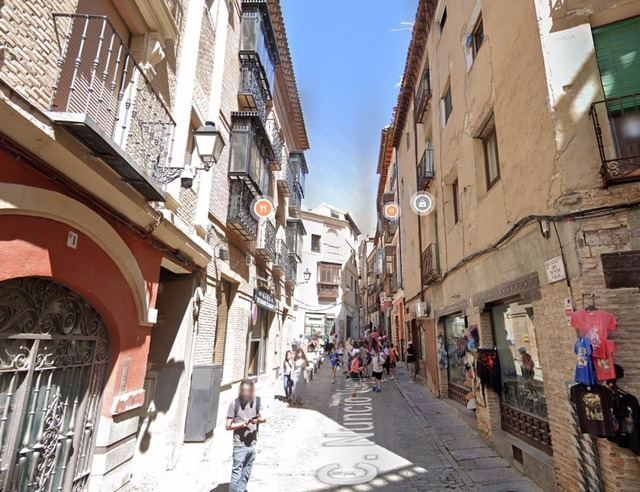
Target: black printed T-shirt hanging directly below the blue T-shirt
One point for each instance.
(594, 405)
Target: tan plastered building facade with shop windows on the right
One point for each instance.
(517, 119)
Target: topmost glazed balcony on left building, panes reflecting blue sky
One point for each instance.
(258, 41)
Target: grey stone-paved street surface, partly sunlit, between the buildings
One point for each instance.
(347, 438)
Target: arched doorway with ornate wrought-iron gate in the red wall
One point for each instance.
(53, 354)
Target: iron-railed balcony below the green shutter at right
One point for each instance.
(616, 123)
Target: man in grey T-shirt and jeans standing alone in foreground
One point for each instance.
(243, 418)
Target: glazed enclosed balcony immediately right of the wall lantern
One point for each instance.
(251, 152)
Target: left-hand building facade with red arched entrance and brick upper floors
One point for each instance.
(137, 288)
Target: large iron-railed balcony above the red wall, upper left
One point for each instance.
(102, 97)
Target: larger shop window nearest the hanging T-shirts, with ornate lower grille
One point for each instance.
(517, 348)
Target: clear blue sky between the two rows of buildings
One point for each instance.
(348, 57)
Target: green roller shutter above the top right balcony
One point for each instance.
(618, 55)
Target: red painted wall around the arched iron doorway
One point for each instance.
(36, 246)
